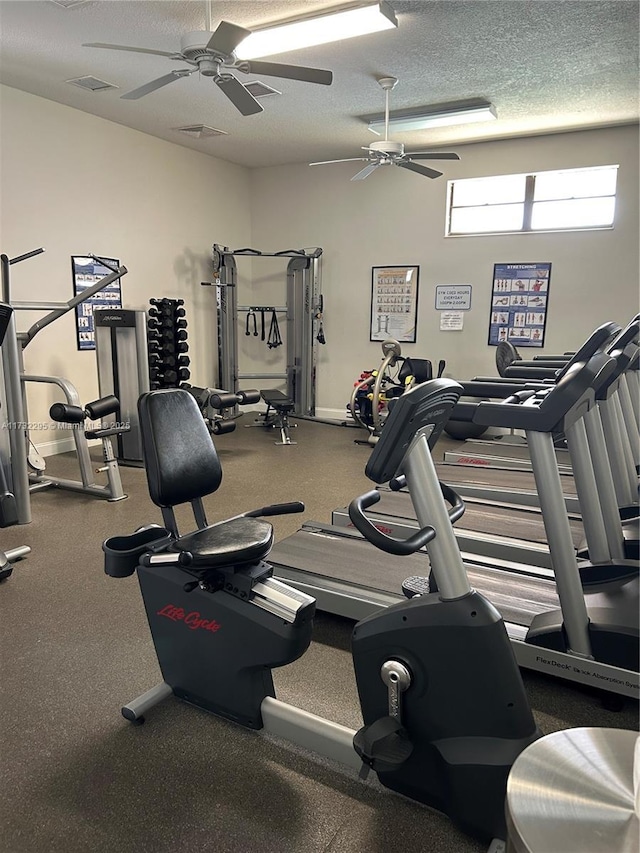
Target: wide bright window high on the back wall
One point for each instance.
(544, 201)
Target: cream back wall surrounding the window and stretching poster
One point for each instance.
(396, 217)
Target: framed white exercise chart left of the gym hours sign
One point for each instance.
(394, 303)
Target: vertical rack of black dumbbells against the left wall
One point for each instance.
(168, 347)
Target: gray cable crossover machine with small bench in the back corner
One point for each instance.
(303, 311)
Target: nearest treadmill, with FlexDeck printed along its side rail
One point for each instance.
(586, 636)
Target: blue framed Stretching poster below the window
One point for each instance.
(519, 302)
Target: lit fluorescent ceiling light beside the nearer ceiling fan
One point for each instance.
(341, 23)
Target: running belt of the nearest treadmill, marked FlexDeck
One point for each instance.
(357, 562)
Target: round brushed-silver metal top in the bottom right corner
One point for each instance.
(573, 792)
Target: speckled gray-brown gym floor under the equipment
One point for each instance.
(75, 647)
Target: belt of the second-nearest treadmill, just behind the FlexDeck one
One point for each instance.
(481, 518)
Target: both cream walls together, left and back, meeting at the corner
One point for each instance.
(74, 183)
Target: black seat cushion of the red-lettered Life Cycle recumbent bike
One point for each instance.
(229, 543)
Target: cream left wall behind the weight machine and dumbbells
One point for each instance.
(73, 183)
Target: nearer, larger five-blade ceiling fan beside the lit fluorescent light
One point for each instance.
(212, 54)
